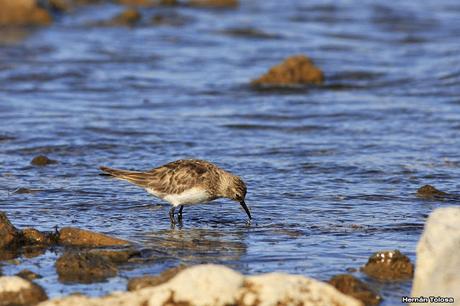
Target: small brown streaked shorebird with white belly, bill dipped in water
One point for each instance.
(186, 182)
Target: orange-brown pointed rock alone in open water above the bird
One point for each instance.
(294, 70)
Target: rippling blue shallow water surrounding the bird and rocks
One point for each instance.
(331, 170)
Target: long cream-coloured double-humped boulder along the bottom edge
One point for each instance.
(207, 285)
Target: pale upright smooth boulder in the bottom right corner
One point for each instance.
(438, 259)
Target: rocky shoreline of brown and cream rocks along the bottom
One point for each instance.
(89, 257)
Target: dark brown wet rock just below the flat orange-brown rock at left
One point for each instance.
(84, 267)
